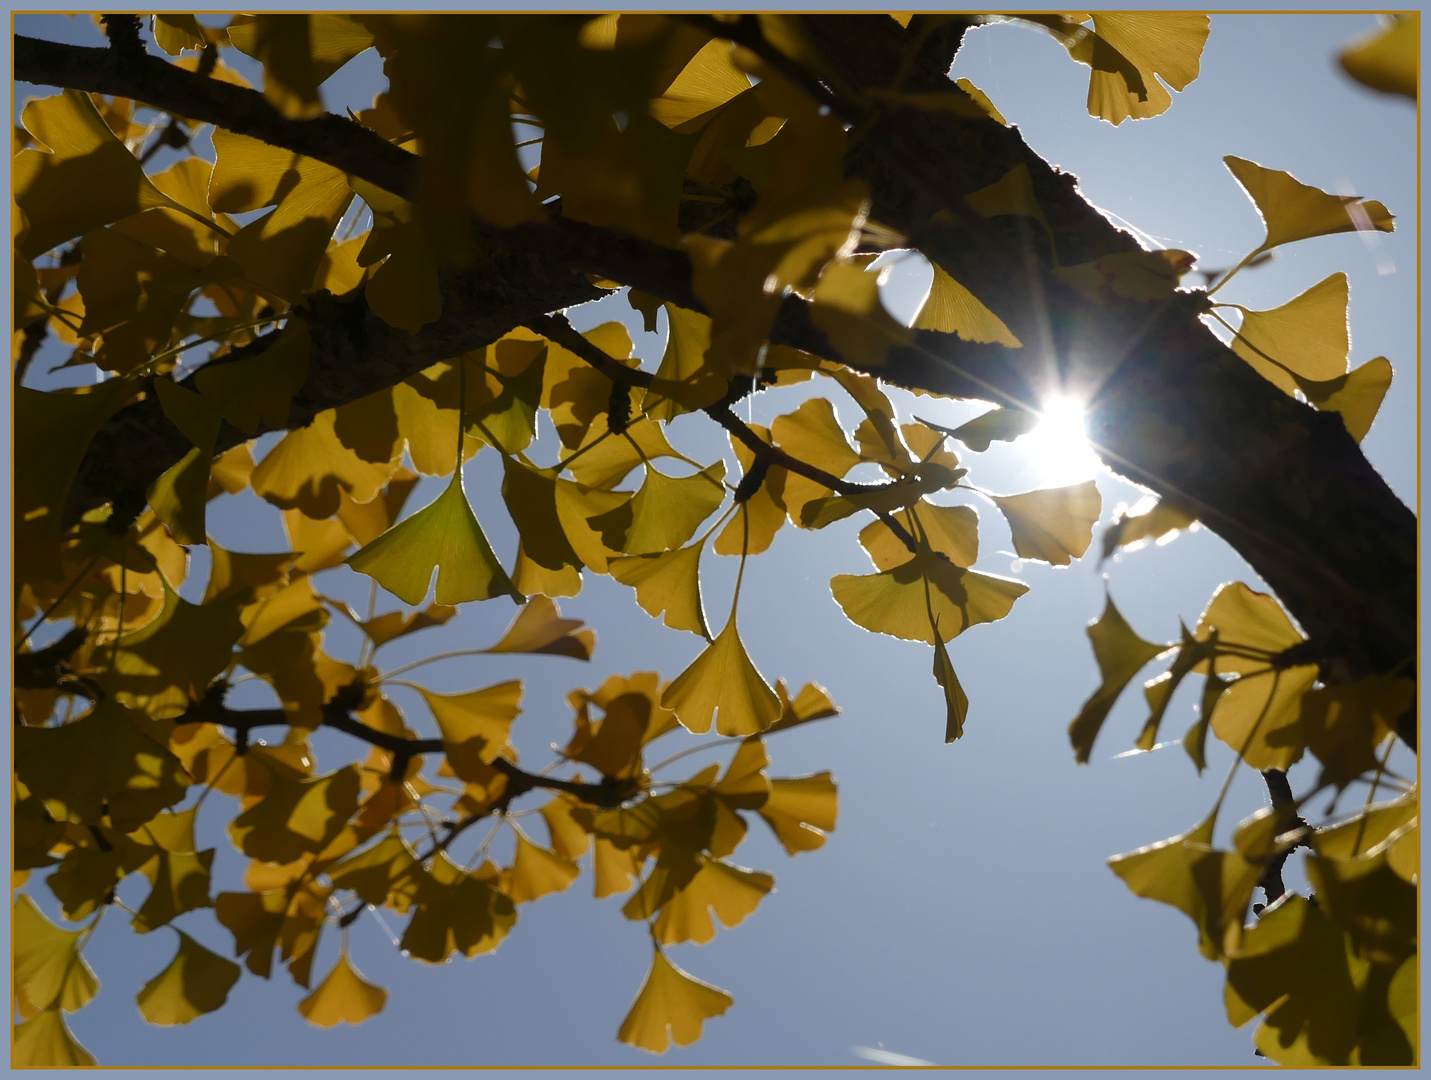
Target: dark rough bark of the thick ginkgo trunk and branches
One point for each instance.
(1170, 406)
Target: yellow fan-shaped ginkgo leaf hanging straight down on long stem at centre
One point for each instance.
(723, 682)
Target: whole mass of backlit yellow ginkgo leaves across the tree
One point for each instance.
(663, 129)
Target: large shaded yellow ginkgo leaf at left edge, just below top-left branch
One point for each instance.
(85, 181)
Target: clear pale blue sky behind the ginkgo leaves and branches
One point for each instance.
(962, 913)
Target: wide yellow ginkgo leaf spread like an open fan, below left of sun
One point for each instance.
(901, 600)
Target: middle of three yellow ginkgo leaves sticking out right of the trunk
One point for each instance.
(1306, 337)
